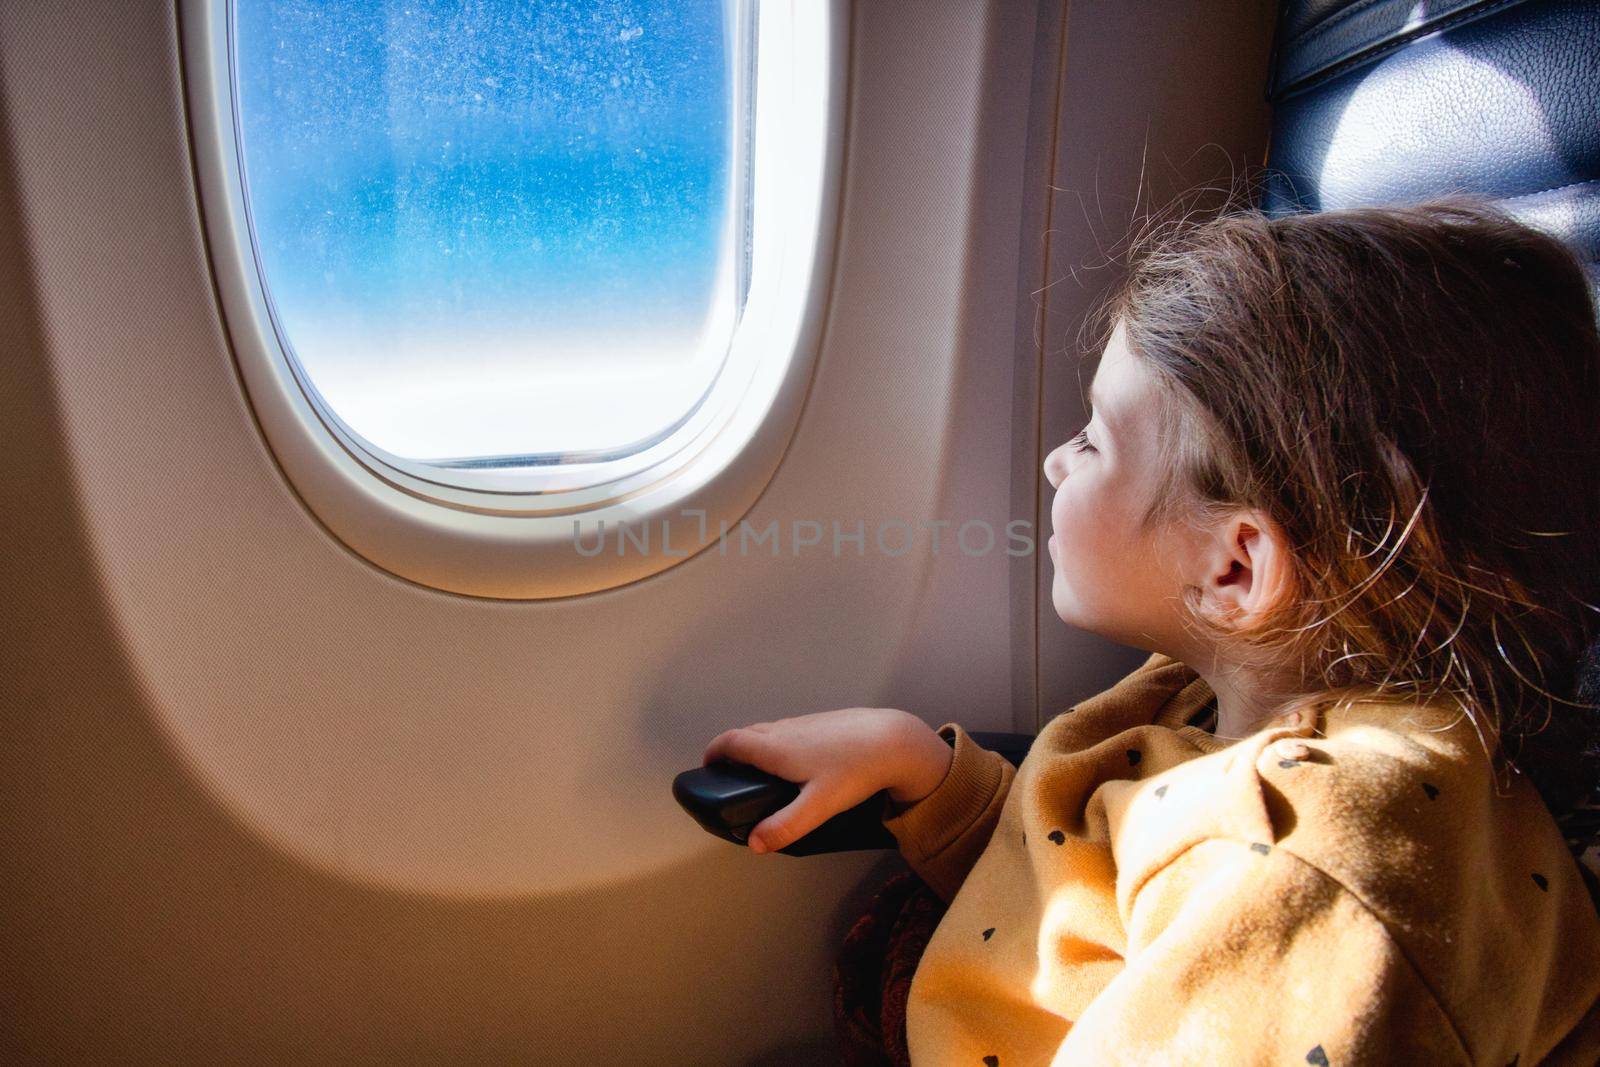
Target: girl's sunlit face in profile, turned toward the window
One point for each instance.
(1113, 577)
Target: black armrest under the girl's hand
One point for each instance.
(729, 799)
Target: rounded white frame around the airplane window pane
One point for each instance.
(482, 532)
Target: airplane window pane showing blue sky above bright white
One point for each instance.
(495, 236)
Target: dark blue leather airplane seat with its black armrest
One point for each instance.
(1372, 102)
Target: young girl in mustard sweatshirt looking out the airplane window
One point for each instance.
(1343, 481)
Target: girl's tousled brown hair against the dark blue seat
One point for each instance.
(1414, 394)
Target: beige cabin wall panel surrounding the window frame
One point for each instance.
(265, 802)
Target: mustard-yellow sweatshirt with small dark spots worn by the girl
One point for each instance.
(1145, 892)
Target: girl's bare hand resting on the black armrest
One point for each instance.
(839, 759)
